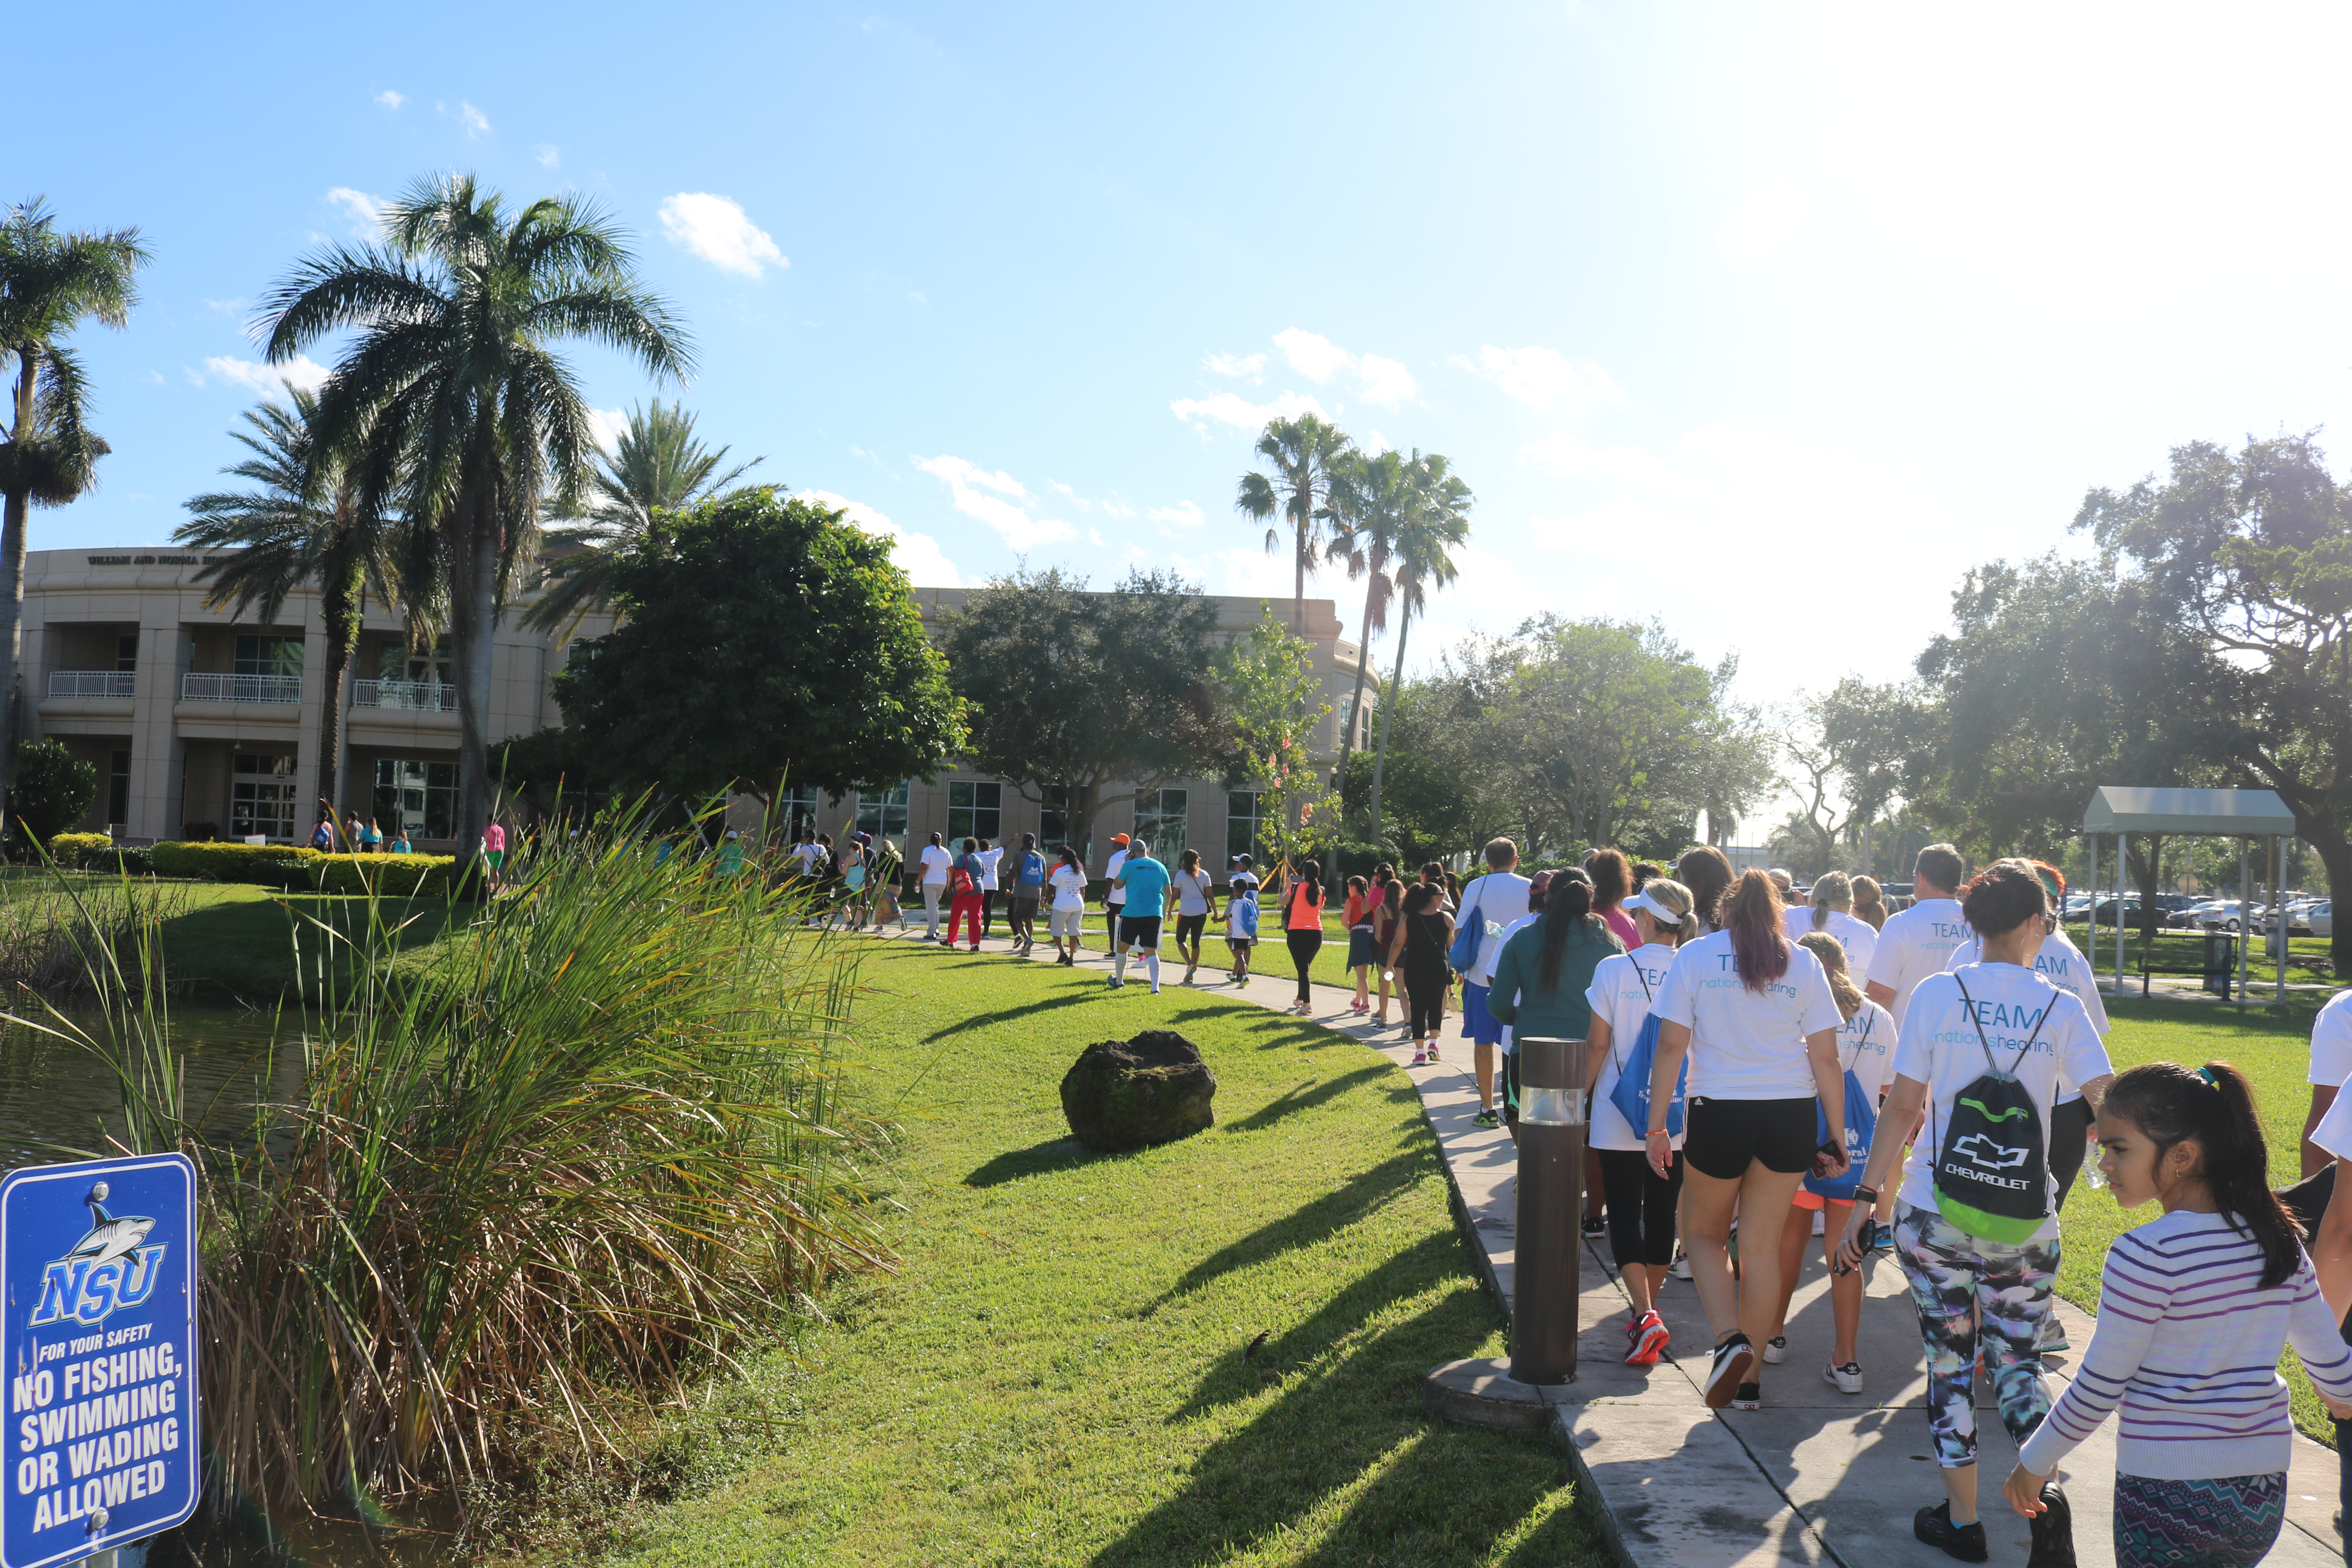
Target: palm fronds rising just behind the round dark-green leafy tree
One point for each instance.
(655, 469)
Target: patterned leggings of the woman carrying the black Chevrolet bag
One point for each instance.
(1965, 1289)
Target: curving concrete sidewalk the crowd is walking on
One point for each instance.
(1815, 1477)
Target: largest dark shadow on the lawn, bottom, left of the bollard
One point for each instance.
(1443, 1496)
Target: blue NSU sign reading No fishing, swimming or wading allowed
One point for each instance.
(98, 1264)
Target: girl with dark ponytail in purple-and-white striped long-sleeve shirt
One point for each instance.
(2193, 1313)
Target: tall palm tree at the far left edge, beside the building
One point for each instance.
(48, 286)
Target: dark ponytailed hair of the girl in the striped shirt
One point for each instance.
(2217, 1108)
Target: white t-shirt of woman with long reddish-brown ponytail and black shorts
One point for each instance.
(1746, 1045)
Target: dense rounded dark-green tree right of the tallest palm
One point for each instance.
(763, 641)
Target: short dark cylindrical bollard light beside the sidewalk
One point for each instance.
(1546, 1245)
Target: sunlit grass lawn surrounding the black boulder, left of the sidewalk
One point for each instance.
(1205, 1353)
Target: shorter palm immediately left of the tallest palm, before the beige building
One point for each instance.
(302, 525)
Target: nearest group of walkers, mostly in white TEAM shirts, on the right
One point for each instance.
(1927, 1083)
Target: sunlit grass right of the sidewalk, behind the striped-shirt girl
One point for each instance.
(2273, 1050)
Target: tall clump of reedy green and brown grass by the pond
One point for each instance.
(528, 1188)
